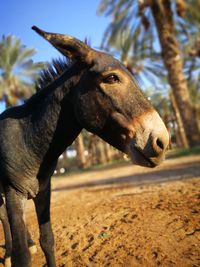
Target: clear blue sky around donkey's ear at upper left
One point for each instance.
(77, 18)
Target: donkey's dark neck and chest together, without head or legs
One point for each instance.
(33, 135)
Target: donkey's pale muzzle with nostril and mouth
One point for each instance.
(150, 141)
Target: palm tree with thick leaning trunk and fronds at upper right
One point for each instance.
(157, 19)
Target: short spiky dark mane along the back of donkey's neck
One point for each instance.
(52, 72)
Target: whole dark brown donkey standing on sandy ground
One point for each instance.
(95, 92)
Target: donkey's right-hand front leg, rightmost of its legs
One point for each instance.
(42, 205)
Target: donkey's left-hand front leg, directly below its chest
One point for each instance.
(15, 207)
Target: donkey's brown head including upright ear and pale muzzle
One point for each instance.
(109, 103)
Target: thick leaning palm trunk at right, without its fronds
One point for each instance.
(171, 54)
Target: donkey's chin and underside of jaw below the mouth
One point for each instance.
(139, 158)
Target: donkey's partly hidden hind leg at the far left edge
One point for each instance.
(7, 234)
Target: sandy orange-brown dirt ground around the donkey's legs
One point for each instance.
(125, 216)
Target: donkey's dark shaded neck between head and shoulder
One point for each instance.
(52, 123)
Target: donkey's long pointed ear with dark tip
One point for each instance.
(68, 46)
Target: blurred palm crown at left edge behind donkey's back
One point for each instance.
(17, 70)
